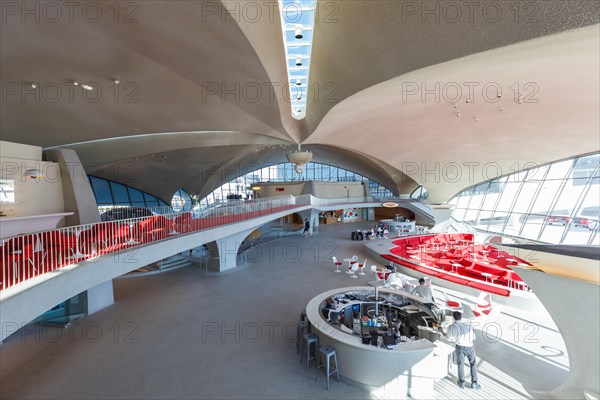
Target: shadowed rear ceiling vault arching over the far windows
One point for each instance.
(200, 162)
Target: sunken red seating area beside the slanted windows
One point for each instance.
(455, 258)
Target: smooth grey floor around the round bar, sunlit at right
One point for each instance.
(185, 334)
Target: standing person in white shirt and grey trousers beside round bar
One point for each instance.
(462, 334)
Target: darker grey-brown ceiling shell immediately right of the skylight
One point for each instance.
(363, 43)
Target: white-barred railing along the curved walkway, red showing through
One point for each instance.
(26, 256)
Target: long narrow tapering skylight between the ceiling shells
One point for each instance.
(297, 22)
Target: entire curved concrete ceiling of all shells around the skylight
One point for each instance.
(216, 74)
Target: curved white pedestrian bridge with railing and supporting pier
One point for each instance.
(43, 269)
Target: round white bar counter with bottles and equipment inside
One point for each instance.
(403, 368)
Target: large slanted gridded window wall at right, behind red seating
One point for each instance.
(556, 203)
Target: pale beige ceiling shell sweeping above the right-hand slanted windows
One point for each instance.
(557, 116)
